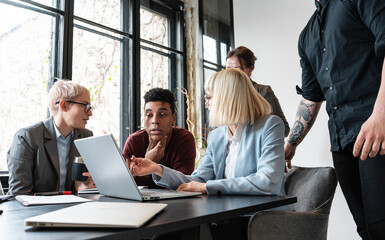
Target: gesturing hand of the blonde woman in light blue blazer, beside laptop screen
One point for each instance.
(143, 166)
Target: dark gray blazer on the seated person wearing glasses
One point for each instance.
(33, 159)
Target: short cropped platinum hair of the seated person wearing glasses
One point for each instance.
(63, 90)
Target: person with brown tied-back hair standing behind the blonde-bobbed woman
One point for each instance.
(243, 58)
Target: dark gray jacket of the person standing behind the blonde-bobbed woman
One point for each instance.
(267, 92)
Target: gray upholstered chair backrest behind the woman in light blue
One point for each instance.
(313, 186)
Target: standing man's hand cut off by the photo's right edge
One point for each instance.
(371, 138)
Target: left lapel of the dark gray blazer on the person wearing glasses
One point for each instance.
(50, 144)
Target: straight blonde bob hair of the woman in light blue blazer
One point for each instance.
(235, 100)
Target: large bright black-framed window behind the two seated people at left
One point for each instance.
(118, 49)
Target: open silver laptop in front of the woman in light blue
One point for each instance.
(111, 174)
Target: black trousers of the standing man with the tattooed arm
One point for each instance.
(363, 185)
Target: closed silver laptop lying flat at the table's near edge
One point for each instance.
(99, 214)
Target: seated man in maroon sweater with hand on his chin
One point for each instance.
(161, 141)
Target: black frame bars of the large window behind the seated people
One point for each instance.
(130, 112)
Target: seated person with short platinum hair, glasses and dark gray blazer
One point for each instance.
(41, 156)
